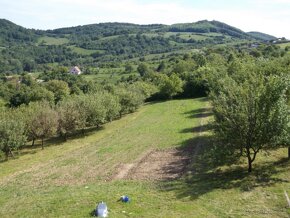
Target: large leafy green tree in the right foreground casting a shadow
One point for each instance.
(250, 111)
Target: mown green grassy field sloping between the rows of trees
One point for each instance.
(68, 179)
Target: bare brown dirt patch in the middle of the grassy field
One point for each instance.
(163, 165)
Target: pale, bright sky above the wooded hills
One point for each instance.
(268, 16)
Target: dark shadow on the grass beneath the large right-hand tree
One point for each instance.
(211, 170)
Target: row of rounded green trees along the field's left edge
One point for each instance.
(43, 119)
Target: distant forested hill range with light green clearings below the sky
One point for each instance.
(24, 49)
